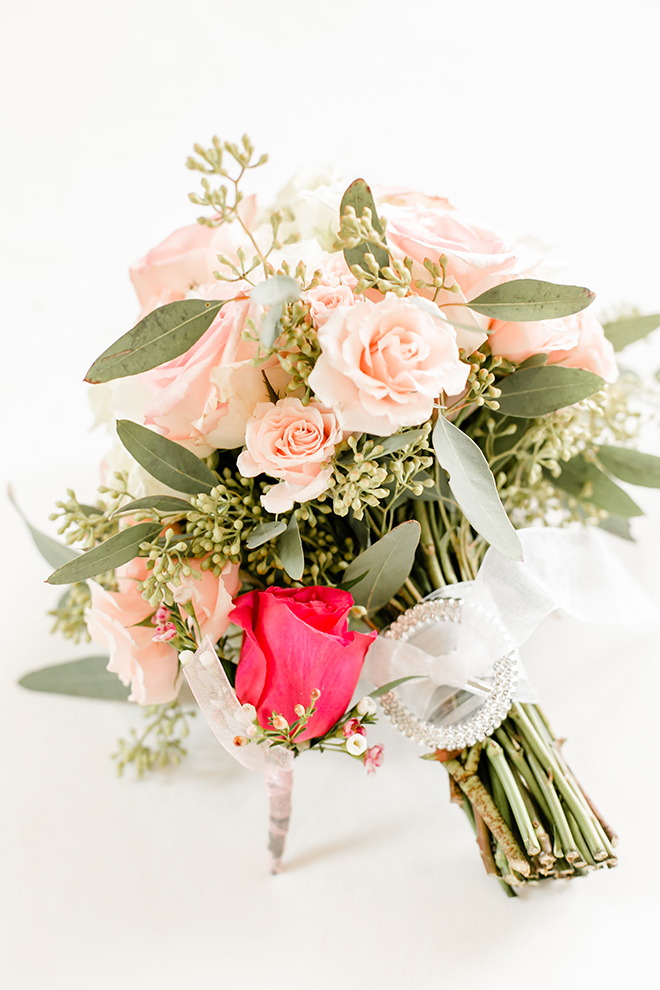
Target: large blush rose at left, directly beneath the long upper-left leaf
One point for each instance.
(204, 398)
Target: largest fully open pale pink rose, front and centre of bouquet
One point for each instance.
(383, 365)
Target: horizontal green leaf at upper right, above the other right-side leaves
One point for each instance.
(526, 299)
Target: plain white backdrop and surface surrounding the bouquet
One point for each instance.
(536, 117)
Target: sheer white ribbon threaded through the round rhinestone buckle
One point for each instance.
(572, 569)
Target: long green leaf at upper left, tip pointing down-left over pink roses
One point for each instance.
(165, 334)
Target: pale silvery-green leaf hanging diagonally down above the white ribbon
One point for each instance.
(473, 486)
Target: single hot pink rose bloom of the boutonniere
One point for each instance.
(297, 641)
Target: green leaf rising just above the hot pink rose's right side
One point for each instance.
(389, 562)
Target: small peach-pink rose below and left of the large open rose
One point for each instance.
(294, 442)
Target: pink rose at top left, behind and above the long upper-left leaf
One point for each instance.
(187, 259)
